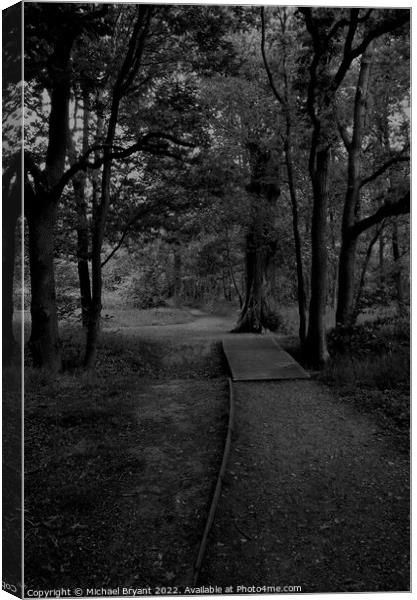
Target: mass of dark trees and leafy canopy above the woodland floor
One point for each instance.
(259, 152)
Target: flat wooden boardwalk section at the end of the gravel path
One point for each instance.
(259, 357)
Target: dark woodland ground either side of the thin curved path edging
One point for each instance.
(121, 470)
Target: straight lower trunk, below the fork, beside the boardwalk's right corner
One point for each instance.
(316, 345)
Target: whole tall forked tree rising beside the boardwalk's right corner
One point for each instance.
(345, 38)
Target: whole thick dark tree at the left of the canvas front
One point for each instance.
(51, 66)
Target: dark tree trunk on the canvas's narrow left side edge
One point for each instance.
(11, 211)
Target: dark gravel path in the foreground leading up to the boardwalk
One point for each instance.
(315, 496)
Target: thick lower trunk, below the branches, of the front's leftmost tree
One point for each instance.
(44, 344)
